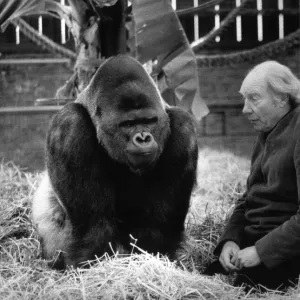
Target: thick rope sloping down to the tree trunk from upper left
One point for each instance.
(42, 40)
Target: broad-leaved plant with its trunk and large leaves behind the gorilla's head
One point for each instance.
(147, 29)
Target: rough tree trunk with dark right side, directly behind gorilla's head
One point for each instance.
(98, 33)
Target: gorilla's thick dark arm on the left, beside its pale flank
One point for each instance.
(77, 164)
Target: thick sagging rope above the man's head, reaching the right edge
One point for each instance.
(272, 49)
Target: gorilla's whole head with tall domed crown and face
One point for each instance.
(128, 112)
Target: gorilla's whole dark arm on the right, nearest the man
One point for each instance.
(175, 179)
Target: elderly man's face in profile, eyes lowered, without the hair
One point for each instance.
(260, 107)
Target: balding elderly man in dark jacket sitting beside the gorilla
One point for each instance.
(261, 241)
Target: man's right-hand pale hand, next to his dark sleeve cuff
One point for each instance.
(246, 258)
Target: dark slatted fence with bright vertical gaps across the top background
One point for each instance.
(261, 21)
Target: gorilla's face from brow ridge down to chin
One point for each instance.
(135, 137)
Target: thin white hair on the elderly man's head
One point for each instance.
(280, 79)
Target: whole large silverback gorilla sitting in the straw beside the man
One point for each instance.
(119, 163)
